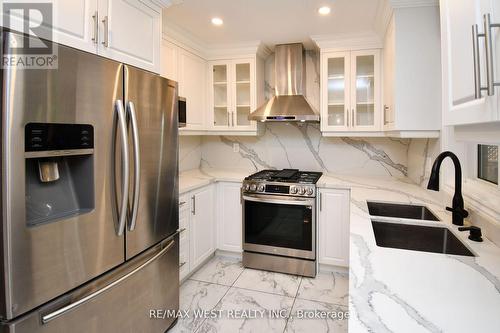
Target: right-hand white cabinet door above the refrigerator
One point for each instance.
(130, 32)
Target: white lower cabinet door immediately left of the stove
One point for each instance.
(229, 217)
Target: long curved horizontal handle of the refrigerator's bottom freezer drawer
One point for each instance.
(57, 313)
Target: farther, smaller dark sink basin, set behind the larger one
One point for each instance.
(415, 212)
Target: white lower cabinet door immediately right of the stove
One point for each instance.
(333, 227)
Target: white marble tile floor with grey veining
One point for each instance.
(273, 302)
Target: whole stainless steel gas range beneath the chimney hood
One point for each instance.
(279, 221)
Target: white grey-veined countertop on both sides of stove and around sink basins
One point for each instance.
(392, 290)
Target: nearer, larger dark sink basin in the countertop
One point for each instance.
(418, 238)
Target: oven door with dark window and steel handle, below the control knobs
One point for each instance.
(279, 225)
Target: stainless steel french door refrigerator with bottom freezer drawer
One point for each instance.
(89, 196)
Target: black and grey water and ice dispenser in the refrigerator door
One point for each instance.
(59, 171)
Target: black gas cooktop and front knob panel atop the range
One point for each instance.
(290, 182)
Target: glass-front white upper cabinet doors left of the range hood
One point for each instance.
(233, 94)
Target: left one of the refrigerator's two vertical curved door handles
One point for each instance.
(122, 218)
